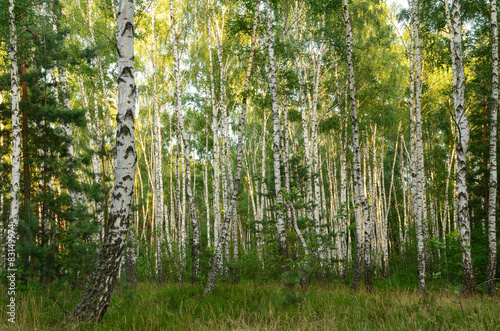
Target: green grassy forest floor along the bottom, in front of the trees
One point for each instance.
(262, 306)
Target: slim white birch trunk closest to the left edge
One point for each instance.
(15, 179)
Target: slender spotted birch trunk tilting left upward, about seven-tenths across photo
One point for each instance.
(361, 202)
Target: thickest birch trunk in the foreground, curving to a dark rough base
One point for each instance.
(97, 295)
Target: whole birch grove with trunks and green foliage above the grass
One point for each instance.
(277, 141)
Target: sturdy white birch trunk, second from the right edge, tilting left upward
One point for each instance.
(469, 280)
